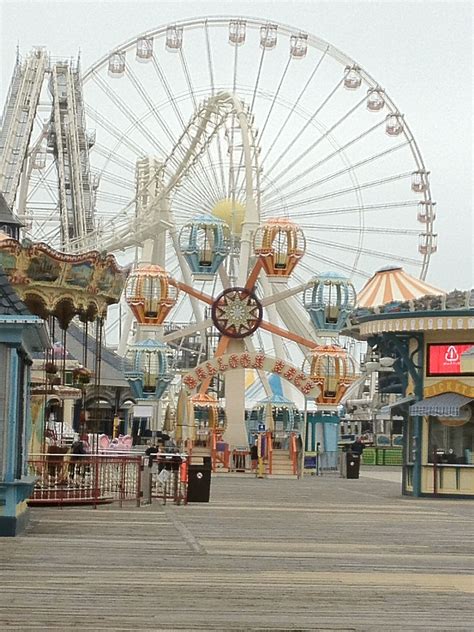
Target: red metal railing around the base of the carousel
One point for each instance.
(65, 479)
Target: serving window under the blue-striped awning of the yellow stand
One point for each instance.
(454, 443)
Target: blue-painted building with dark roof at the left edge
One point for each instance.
(21, 334)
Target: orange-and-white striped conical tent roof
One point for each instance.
(393, 284)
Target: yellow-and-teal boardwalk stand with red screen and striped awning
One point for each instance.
(430, 341)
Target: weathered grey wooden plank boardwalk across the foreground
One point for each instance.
(317, 554)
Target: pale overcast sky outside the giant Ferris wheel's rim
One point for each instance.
(421, 52)
